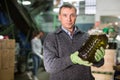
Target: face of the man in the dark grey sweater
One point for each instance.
(67, 17)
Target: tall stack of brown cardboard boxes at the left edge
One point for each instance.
(7, 59)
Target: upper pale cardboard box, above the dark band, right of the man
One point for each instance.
(110, 58)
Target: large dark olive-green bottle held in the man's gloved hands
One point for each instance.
(94, 42)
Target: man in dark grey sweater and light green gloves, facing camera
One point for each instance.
(60, 49)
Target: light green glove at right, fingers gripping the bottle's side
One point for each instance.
(99, 54)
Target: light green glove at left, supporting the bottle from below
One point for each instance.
(77, 60)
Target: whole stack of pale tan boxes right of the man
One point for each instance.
(106, 70)
